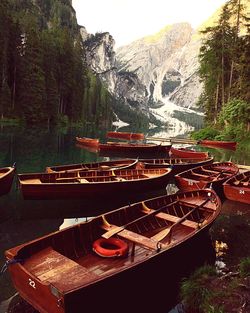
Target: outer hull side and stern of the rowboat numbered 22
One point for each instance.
(127, 289)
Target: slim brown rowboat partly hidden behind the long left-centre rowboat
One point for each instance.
(97, 166)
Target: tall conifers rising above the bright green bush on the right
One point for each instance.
(224, 61)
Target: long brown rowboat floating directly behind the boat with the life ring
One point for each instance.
(90, 184)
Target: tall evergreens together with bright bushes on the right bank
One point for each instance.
(225, 74)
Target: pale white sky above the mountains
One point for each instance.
(128, 20)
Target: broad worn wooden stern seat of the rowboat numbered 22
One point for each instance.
(50, 266)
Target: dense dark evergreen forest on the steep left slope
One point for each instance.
(44, 77)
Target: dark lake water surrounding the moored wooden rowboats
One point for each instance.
(23, 220)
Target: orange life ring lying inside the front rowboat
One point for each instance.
(111, 247)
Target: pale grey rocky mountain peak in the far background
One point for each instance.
(166, 64)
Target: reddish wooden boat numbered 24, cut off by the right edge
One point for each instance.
(237, 188)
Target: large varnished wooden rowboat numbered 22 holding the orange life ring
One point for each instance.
(107, 263)
